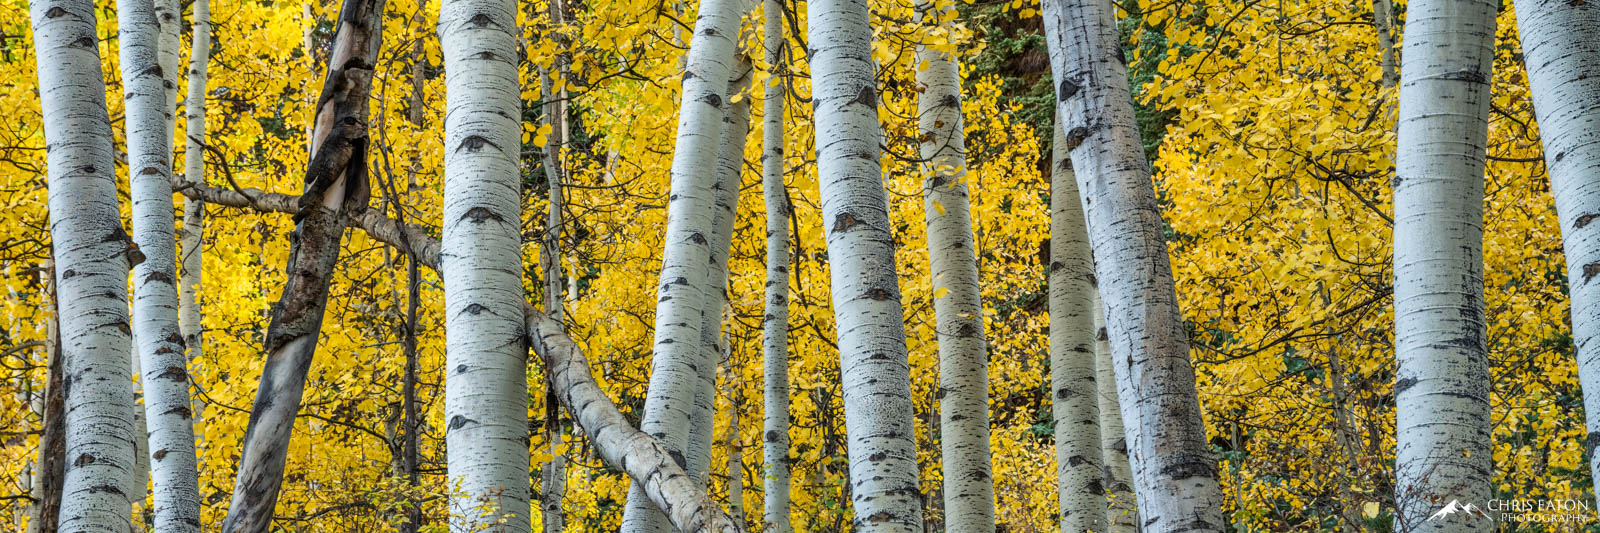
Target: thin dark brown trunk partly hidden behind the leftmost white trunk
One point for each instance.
(50, 463)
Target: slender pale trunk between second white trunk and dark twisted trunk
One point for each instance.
(191, 273)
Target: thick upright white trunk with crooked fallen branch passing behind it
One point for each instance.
(487, 383)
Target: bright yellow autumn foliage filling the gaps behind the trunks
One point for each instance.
(1270, 127)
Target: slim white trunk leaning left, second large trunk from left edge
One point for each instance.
(161, 345)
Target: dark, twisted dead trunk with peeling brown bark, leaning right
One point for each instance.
(337, 190)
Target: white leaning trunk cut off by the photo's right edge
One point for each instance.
(1562, 55)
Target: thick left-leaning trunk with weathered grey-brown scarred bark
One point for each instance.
(1177, 481)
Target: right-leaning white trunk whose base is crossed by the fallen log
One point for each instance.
(686, 266)
